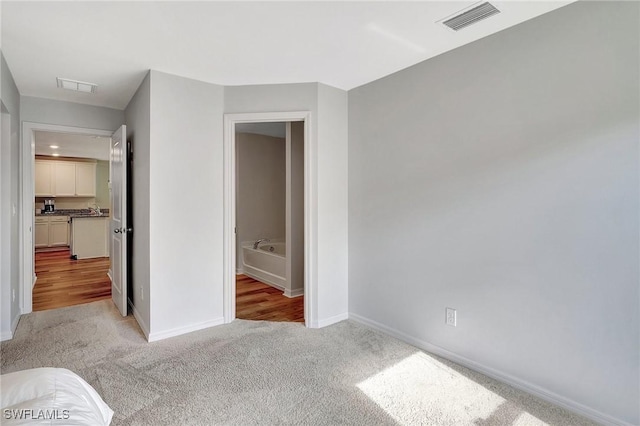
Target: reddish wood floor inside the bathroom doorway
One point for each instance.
(258, 301)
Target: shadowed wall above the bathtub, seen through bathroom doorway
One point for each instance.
(260, 189)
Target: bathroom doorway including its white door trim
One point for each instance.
(268, 226)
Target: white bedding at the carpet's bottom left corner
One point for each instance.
(50, 396)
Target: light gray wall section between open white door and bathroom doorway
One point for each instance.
(186, 193)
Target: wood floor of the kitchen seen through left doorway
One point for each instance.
(64, 282)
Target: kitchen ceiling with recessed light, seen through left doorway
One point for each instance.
(72, 145)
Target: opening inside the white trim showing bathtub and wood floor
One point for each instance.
(269, 238)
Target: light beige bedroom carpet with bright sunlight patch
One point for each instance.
(264, 373)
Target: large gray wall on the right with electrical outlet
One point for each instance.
(501, 179)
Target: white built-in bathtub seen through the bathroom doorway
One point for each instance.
(266, 264)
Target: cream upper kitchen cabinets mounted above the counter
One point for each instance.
(60, 178)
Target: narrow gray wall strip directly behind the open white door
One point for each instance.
(138, 121)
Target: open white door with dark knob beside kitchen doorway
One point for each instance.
(119, 228)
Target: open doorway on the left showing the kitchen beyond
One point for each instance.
(71, 219)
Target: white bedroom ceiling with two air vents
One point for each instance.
(342, 44)
